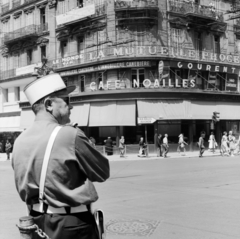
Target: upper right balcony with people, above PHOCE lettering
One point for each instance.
(195, 11)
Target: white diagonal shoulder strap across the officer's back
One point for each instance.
(45, 164)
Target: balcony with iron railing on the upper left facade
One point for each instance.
(25, 32)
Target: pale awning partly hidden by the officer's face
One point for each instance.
(80, 114)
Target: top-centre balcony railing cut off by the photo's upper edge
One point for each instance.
(135, 4)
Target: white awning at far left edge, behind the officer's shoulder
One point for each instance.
(10, 124)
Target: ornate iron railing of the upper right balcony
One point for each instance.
(183, 7)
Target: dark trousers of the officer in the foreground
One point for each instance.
(66, 226)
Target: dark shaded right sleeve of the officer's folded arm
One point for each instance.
(92, 162)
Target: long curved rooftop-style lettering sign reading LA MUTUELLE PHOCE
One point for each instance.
(110, 52)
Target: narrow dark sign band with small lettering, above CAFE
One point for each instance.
(108, 67)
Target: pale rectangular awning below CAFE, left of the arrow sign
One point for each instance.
(113, 113)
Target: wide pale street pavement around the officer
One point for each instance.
(179, 197)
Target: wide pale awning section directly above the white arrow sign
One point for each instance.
(164, 109)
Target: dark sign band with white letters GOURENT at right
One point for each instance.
(206, 67)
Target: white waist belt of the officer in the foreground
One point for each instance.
(60, 210)
